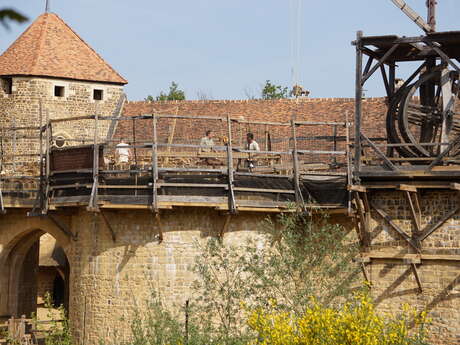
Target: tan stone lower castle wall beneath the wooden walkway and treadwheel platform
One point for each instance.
(110, 279)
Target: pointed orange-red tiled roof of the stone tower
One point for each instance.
(50, 48)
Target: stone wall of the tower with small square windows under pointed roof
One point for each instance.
(31, 96)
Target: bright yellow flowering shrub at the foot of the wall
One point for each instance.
(355, 323)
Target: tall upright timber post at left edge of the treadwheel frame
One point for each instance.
(358, 100)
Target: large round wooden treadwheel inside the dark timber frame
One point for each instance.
(422, 114)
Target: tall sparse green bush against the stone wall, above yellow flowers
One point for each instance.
(302, 256)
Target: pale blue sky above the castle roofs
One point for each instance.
(226, 49)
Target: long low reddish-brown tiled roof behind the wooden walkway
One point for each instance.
(308, 109)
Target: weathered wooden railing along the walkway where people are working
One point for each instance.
(288, 150)
